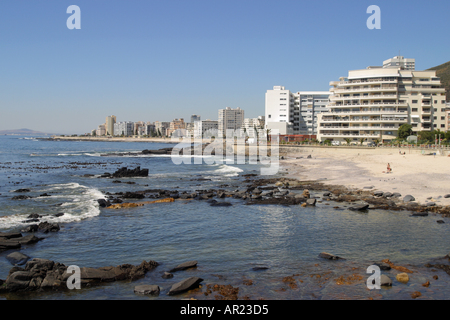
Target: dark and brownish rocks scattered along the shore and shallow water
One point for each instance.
(41, 274)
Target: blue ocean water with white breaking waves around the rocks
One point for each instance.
(227, 242)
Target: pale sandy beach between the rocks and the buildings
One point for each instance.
(422, 176)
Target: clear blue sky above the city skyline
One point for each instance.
(160, 60)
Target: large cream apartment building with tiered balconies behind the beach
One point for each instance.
(371, 104)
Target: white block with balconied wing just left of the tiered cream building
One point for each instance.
(294, 113)
